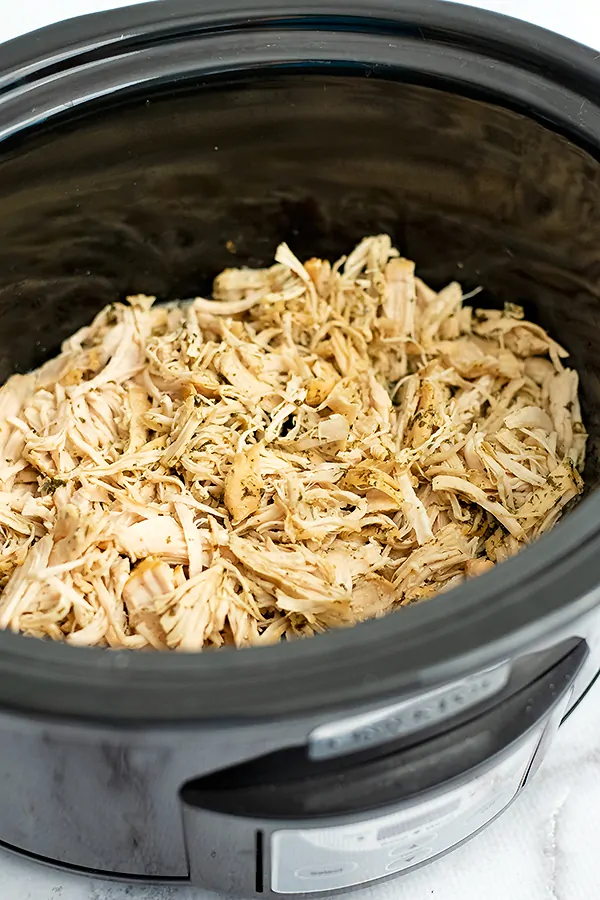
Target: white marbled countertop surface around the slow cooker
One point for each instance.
(546, 846)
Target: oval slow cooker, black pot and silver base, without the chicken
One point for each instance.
(136, 147)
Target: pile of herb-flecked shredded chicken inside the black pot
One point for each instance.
(317, 445)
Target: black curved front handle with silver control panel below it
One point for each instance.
(257, 837)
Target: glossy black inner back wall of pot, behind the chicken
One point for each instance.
(146, 196)
